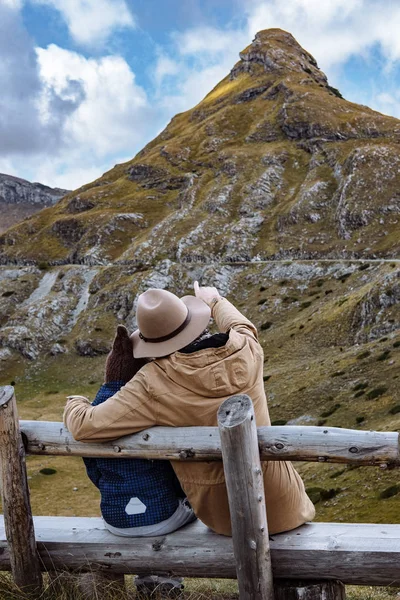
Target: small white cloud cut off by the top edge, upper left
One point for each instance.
(92, 21)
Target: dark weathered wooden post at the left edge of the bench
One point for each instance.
(18, 521)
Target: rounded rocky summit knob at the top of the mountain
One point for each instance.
(277, 51)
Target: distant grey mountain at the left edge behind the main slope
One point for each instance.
(20, 199)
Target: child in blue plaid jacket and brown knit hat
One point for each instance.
(138, 497)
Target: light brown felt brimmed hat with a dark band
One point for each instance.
(166, 323)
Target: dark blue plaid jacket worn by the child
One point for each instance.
(134, 492)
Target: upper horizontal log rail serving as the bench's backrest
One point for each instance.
(308, 443)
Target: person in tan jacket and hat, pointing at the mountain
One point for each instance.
(190, 375)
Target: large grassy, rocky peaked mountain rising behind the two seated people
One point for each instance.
(273, 188)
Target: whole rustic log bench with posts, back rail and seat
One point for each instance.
(365, 554)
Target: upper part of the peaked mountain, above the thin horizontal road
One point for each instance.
(273, 163)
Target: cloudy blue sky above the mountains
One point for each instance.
(85, 84)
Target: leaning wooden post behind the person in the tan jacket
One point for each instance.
(244, 482)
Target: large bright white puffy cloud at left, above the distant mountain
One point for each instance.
(111, 113)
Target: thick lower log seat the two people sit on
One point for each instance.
(356, 554)
